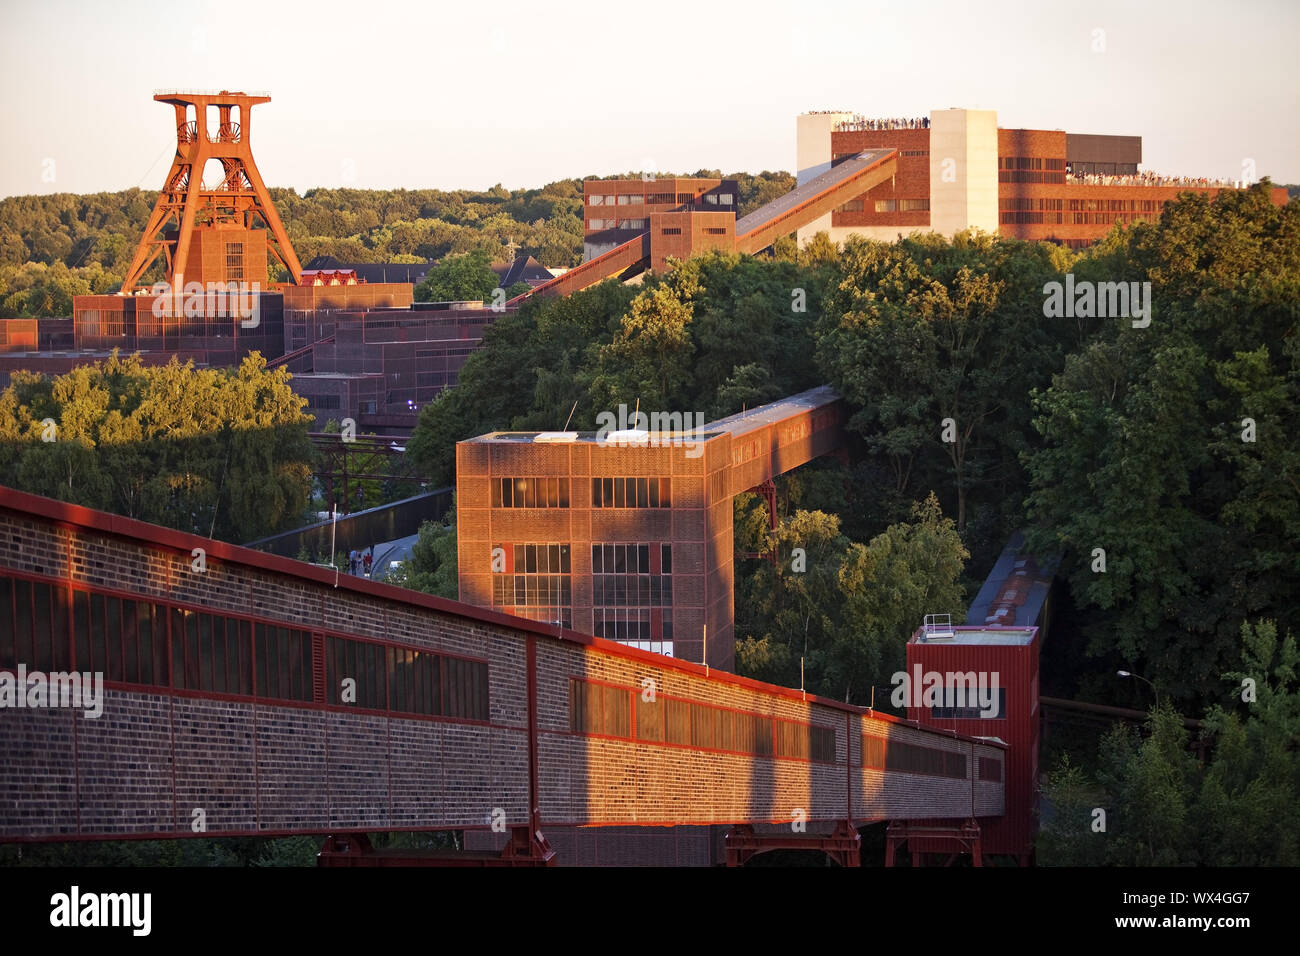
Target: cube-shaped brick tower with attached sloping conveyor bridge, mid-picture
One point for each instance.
(631, 539)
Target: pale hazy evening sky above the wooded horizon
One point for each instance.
(465, 96)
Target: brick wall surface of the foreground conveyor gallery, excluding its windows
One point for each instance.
(157, 755)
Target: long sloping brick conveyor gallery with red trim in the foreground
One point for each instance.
(226, 691)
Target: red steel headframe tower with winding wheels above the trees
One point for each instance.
(206, 232)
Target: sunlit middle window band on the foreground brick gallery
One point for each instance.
(625, 713)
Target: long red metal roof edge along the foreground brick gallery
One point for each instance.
(80, 516)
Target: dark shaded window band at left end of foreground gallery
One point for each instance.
(53, 629)
